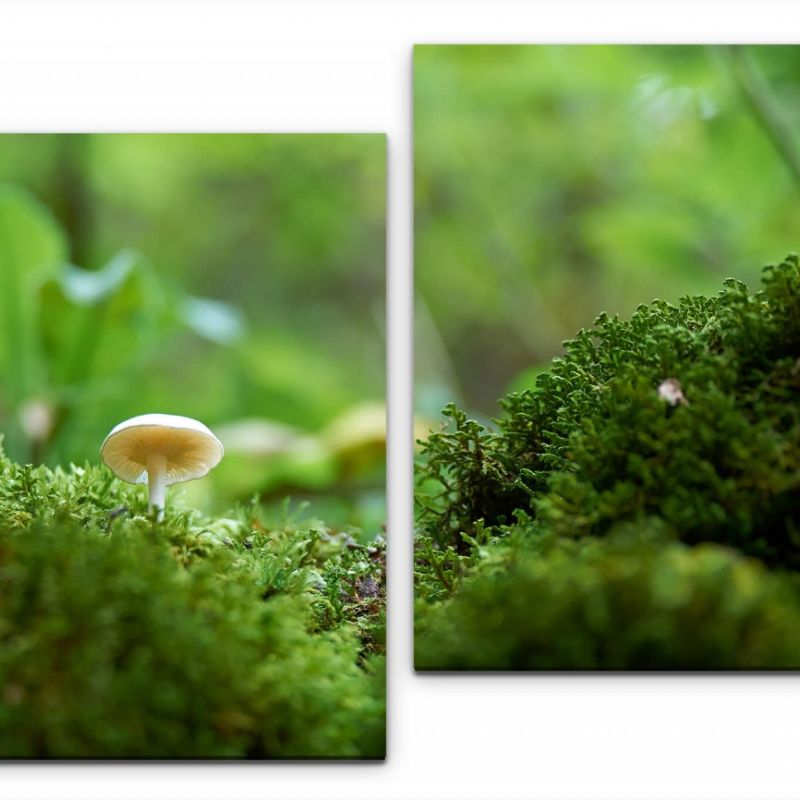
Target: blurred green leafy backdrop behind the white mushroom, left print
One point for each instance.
(238, 279)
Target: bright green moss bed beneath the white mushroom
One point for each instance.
(195, 637)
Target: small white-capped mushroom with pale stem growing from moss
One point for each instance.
(160, 449)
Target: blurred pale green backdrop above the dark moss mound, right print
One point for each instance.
(556, 182)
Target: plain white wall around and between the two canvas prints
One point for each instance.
(346, 66)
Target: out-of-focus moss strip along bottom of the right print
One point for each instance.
(618, 604)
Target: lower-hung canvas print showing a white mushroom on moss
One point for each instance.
(192, 477)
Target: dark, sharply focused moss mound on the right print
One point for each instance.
(594, 442)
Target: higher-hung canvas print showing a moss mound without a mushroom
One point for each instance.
(607, 357)
